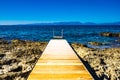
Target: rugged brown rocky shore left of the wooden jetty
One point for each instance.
(17, 58)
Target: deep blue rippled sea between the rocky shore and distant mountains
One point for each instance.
(73, 33)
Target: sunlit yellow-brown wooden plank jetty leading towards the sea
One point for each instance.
(59, 62)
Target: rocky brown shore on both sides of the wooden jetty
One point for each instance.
(18, 57)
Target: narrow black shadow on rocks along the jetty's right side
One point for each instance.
(86, 64)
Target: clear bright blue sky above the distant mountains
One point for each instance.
(28, 11)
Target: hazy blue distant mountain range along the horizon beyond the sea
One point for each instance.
(72, 23)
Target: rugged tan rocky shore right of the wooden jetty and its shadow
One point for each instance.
(105, 63)
